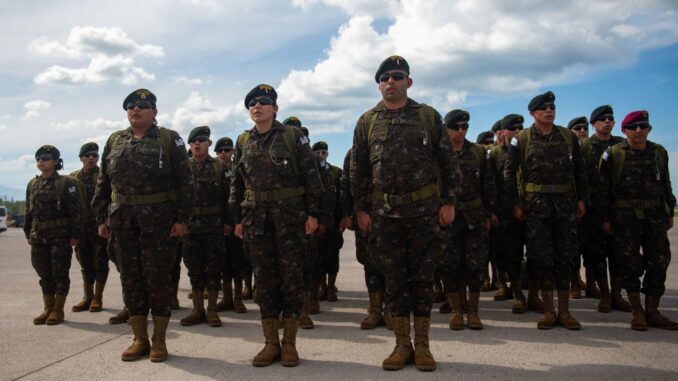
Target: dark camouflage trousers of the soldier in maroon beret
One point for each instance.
(630, 235)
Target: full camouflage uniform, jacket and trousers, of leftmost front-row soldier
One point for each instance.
(135, 196)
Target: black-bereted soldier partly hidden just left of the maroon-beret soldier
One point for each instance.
(598, 246)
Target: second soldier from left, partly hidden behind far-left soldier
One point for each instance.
(91, 252)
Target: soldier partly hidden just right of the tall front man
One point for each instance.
(467, 248)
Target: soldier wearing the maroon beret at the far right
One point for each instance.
(638, 204)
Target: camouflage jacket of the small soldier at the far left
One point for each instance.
(51, 216)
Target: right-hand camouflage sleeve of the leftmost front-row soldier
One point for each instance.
(183, 179)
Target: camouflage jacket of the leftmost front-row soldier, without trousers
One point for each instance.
(141, 166)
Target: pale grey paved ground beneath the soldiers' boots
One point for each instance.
(510, 347)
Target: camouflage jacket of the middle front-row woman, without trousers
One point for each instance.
(264, 164)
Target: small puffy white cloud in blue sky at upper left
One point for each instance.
(111, 54)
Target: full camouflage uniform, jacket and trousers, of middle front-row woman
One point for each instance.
(272, 201)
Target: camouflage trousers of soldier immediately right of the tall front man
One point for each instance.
(466, 255)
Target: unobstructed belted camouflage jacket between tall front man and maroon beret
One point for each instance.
(550, 162)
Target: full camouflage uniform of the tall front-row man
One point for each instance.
(395, 163)
